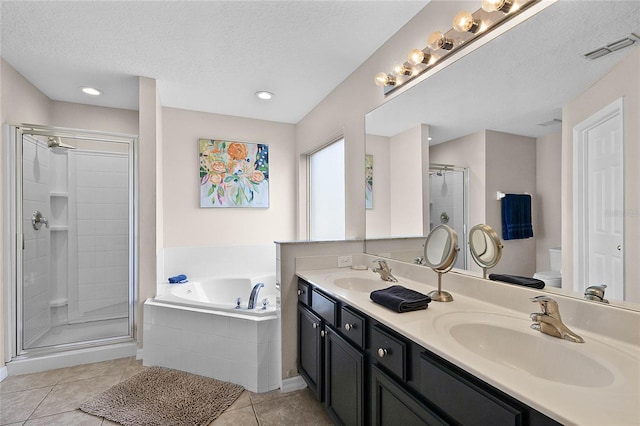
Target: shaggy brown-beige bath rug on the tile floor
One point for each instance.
(161, 396)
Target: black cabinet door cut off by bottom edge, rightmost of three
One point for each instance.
(391, 405)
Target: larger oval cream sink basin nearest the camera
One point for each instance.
(510, 342)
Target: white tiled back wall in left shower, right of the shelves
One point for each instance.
(101, 180)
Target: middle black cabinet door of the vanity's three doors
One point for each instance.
(344, 368)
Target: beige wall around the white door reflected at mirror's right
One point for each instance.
(622, 81)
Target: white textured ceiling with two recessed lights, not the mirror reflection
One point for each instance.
(207, 56)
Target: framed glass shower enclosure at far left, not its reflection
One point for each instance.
(73, 250)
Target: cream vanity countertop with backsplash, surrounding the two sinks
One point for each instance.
(606, 330)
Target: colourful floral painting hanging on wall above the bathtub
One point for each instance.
(233, 174)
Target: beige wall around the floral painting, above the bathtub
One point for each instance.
(185, 223)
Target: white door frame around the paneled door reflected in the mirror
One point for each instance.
(580, 189)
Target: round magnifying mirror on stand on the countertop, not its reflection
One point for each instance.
(440, 252)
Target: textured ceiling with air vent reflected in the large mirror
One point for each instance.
(519, 80)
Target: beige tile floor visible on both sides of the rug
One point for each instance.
(53, 397)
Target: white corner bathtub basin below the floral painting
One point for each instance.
(220, 294)
